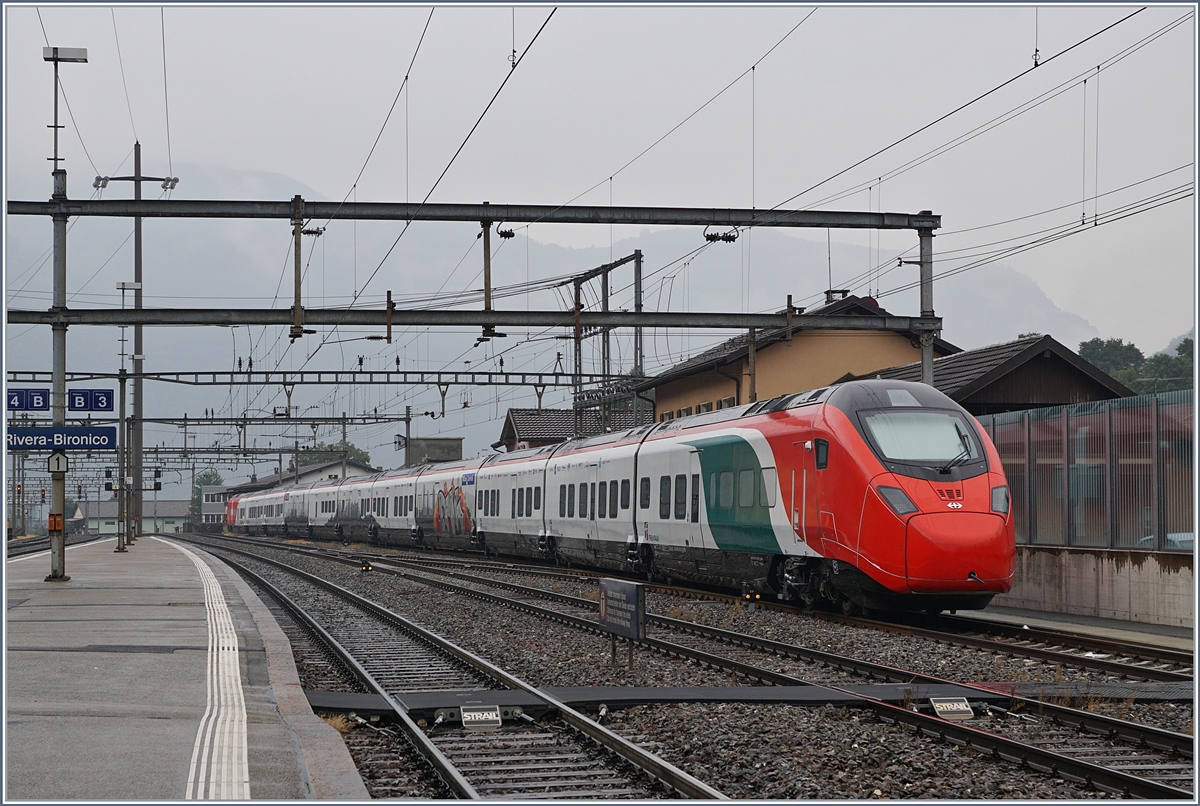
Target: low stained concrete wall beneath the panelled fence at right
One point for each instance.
(1147, 587)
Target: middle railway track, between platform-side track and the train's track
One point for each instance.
(1112, 755)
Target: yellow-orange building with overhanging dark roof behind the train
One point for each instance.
(723, 377)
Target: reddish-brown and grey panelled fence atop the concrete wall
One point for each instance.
(1115, 474)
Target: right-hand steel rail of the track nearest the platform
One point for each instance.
(647, 762)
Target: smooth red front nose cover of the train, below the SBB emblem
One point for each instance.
(959, 552)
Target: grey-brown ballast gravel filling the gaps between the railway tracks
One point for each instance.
(746, 751)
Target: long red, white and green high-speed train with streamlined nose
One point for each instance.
(878, 495)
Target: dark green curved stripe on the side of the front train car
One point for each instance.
(735, 528)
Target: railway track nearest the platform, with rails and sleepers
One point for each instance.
(563, 755)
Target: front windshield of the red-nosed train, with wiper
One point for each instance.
(922, 437)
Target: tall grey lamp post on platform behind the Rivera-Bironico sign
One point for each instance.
(59, 335)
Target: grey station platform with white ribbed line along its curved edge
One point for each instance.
(157, 675)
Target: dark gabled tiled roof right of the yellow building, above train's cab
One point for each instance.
(964, 374)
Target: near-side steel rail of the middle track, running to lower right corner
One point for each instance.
(1001, 747)
